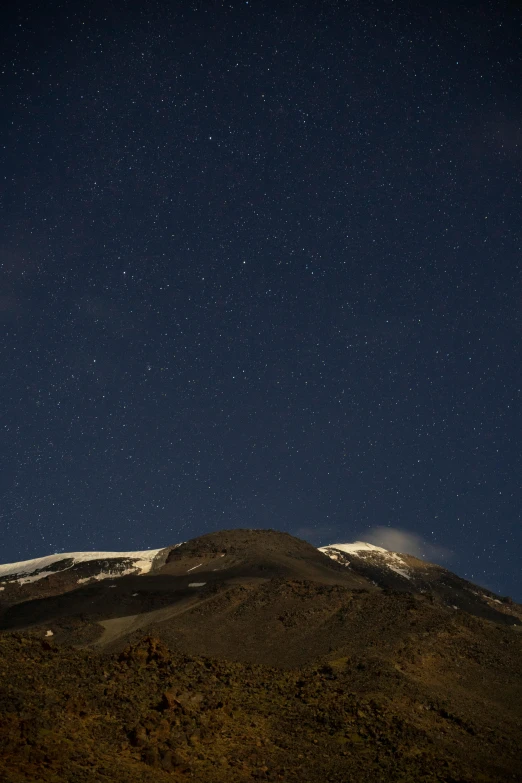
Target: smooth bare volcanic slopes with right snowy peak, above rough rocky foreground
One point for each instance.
(257, 596)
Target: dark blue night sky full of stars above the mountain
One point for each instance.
(260, 267)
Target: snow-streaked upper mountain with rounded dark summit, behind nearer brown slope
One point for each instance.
(78, 582)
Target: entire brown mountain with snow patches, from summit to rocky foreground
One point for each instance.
(252, 655)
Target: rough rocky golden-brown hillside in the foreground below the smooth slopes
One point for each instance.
(148, 715)
